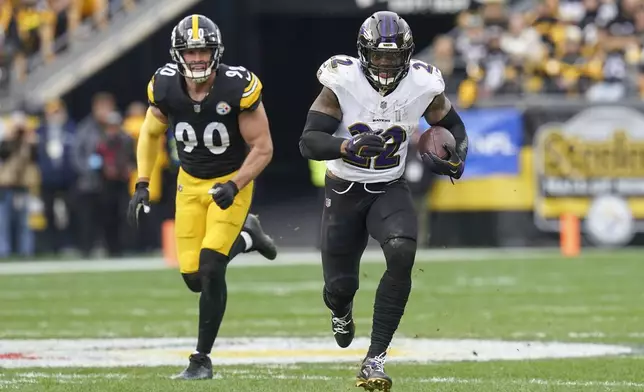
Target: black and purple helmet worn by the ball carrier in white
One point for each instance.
(385, 47)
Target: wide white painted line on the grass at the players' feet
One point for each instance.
(24, 353)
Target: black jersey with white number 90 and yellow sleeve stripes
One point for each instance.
(209, 143)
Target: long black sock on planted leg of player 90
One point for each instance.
(212, 302)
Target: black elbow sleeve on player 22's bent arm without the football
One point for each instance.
(317, 141)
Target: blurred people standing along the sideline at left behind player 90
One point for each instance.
(65, 186)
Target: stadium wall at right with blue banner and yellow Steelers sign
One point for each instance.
(533, 162)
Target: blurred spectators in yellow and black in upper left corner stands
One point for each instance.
(35, 31)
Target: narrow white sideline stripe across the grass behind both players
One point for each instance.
(286, 257)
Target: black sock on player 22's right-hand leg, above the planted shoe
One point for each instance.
(388, 309)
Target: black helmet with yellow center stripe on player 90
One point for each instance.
(196, 32)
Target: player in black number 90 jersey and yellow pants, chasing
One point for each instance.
(224, 143)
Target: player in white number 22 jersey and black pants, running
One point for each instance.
(361, 125)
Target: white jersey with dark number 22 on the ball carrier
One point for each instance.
(396, 116)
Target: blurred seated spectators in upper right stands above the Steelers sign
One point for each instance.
(591, 49)
